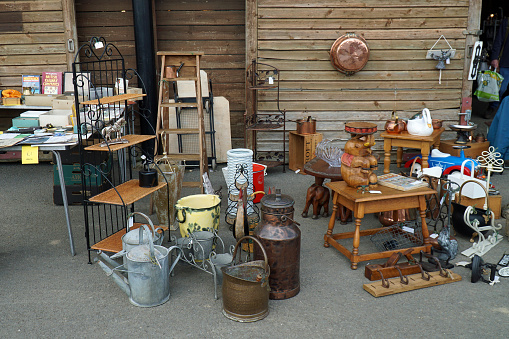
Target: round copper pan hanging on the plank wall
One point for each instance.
(349, 53)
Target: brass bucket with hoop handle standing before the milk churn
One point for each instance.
(246, 288)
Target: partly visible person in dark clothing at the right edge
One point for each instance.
(500, 63)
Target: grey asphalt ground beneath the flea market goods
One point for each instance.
(47, 293)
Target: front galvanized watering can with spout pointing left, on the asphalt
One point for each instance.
(148, 272)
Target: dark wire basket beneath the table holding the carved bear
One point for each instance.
(401, 235)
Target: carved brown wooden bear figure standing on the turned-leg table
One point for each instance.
(358, 162)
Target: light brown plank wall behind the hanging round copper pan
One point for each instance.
(295, 36)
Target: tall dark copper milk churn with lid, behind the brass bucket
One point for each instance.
(280, 237)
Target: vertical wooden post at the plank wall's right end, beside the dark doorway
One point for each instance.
(473, 24)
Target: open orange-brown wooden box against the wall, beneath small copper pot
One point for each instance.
(302, 149)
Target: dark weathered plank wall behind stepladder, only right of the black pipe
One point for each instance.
(217, 29)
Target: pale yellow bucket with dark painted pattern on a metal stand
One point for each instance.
(198, 212)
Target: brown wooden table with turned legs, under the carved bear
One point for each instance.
(364, 203)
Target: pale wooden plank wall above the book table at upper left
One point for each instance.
(32, 40)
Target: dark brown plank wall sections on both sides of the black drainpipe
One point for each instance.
(213, 27)
